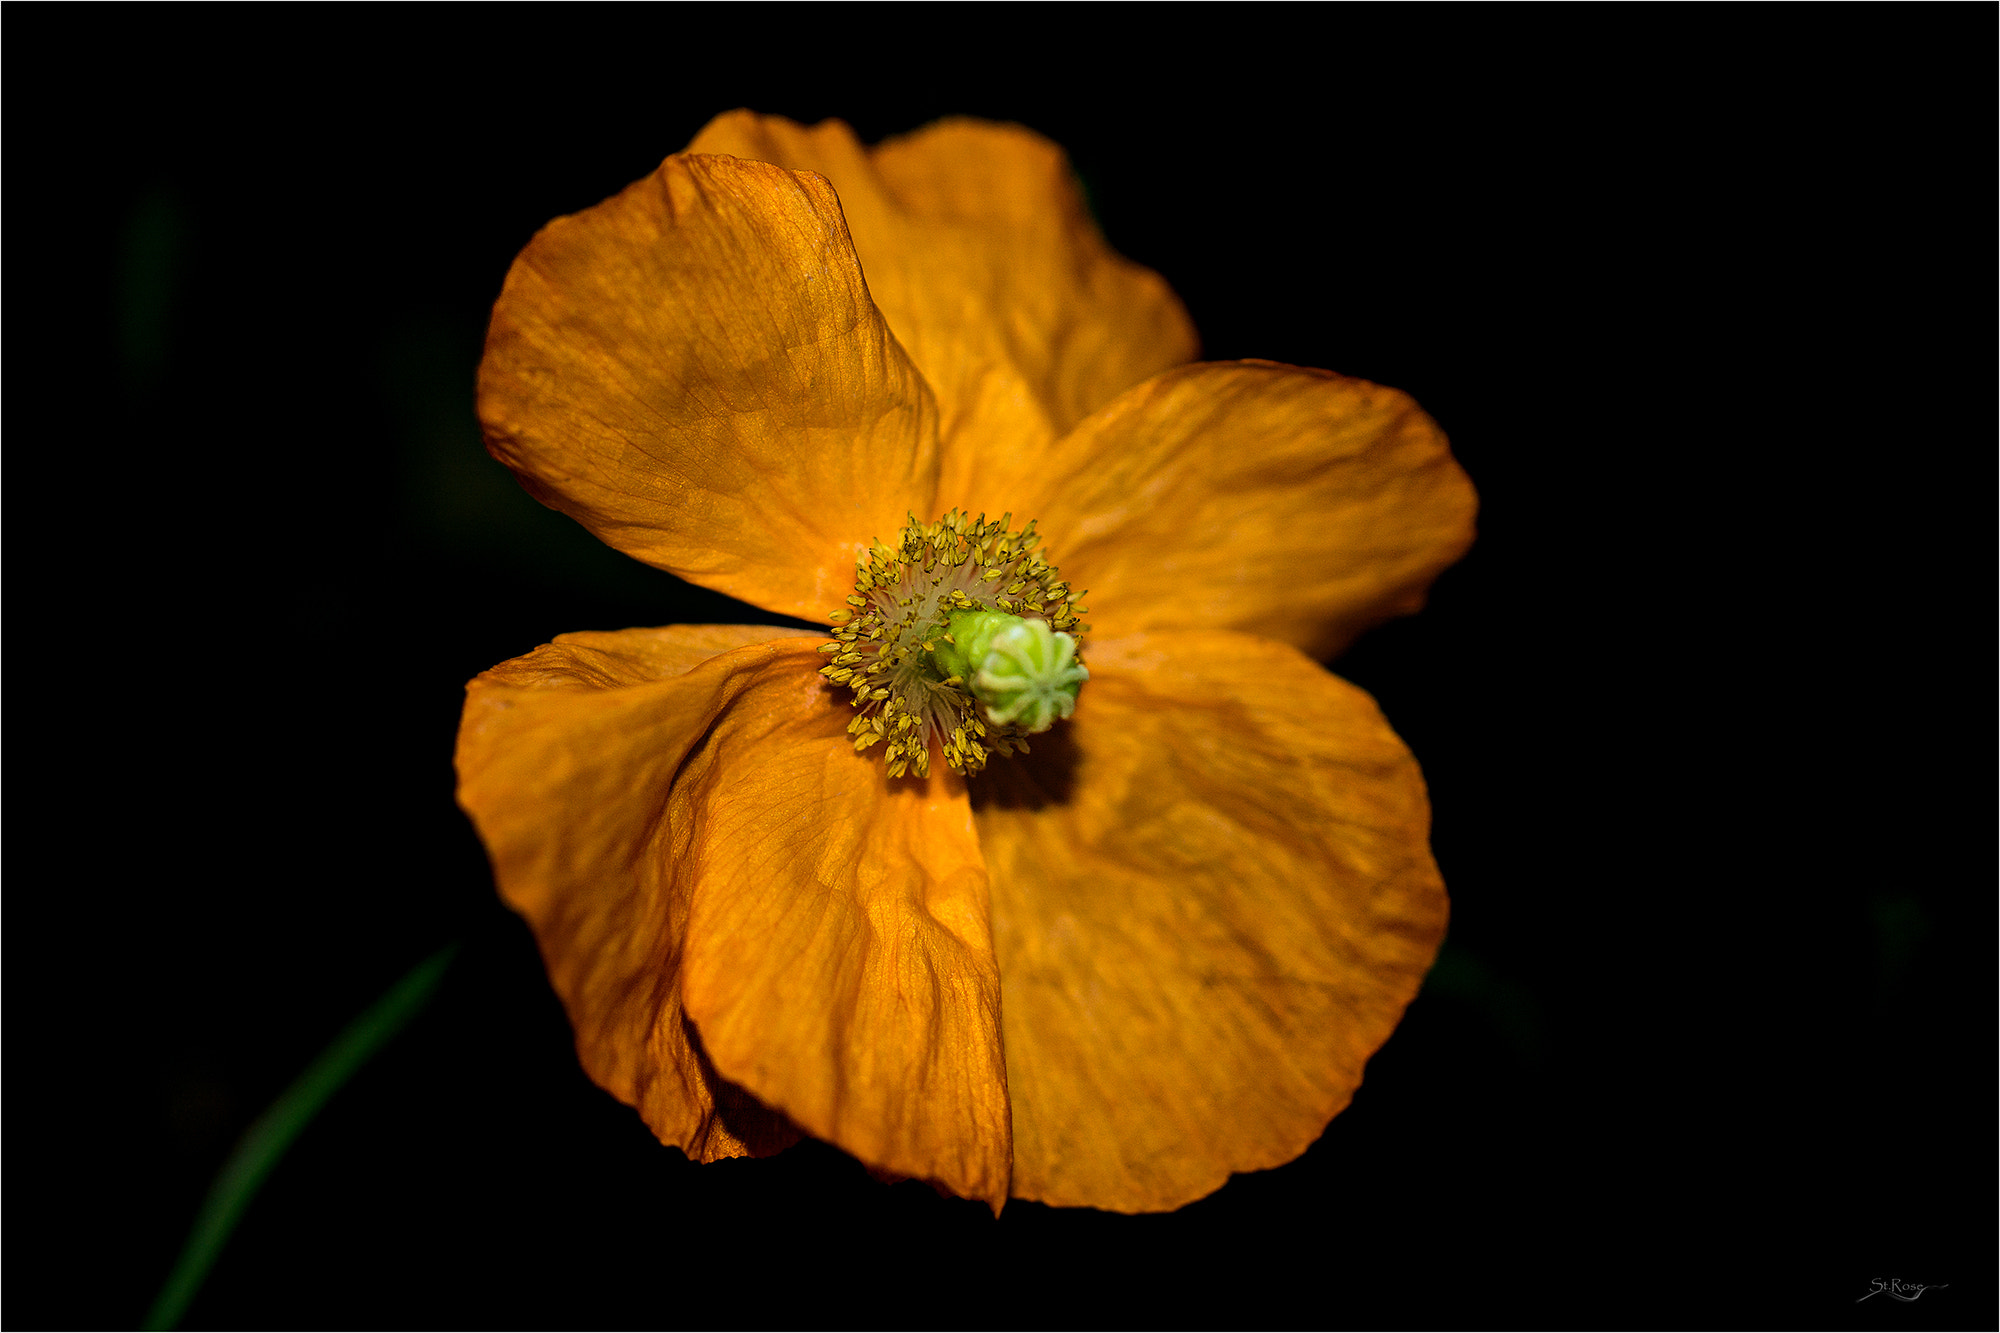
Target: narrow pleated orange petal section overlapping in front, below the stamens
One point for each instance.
(839, 956)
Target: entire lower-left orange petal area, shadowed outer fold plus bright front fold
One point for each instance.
(727, 896)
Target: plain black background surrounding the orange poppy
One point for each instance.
(1703, 299)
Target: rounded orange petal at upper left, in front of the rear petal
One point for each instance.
(697, 373)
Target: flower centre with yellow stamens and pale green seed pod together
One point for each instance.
(961, 635)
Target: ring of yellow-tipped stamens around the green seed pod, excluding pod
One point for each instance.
(901, 611)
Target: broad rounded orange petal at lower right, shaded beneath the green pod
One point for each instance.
(1213, 900)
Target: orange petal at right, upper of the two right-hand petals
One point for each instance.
(1245, 495)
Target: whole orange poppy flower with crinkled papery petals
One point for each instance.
(1111, 972)
